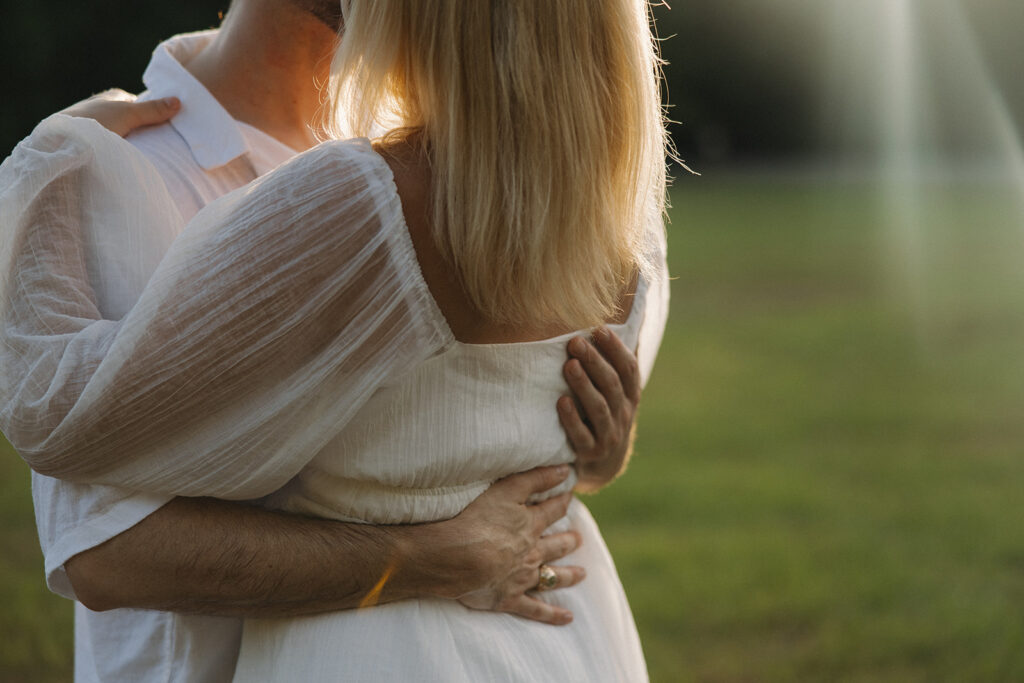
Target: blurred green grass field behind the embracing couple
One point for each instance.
(829, 483)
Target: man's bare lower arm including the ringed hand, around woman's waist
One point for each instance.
(214, 558)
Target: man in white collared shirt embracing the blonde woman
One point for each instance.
(168, 580)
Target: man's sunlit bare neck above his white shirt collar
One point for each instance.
(266, 66)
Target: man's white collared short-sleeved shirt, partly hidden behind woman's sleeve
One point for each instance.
(202, 155)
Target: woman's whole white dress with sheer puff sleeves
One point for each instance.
(288, 348)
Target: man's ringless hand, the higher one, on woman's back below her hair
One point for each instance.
(606, 381)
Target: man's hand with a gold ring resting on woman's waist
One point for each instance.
(496, 548)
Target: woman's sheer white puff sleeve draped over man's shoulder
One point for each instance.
(275, 316)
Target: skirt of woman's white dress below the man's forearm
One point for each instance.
(442, 642)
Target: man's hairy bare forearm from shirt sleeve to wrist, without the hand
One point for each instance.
(220, 559)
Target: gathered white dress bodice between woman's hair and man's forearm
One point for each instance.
(425, 447)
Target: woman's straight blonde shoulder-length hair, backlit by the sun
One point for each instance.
(543, 125)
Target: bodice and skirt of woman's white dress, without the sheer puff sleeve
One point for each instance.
(421, 450)
